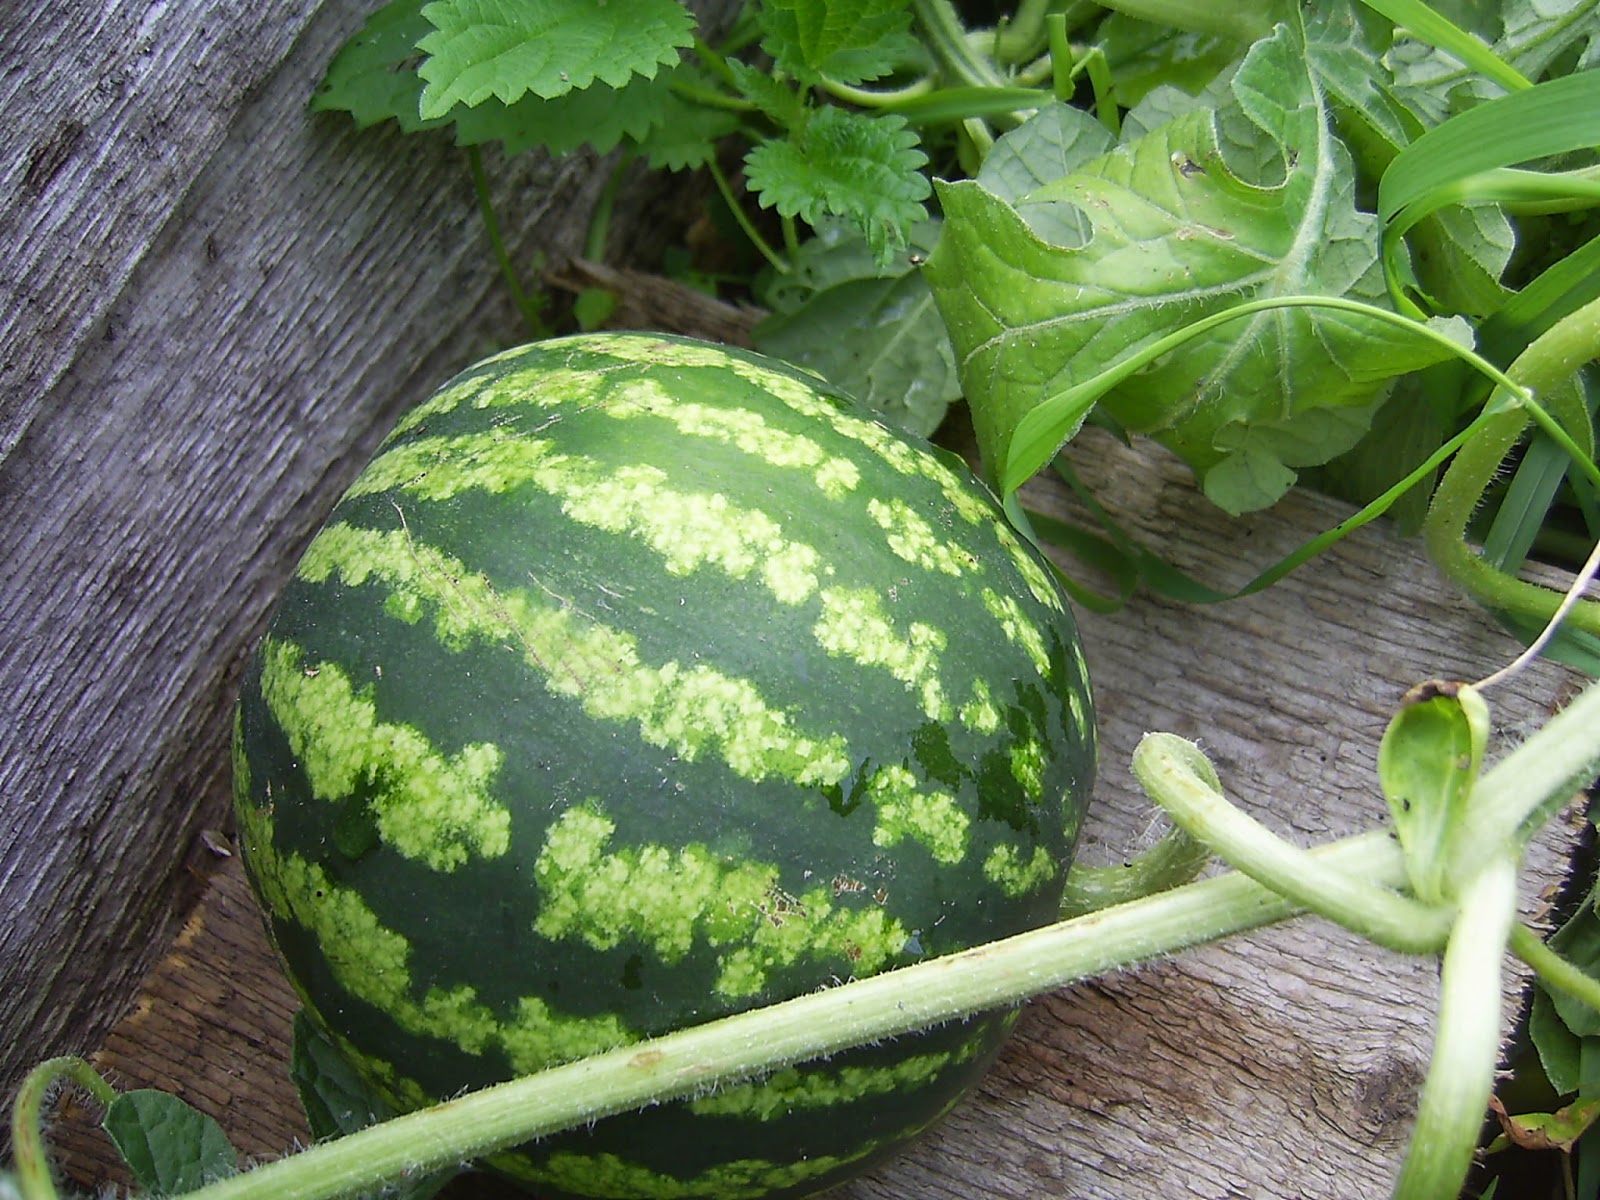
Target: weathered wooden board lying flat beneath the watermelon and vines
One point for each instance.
(1278, 1065)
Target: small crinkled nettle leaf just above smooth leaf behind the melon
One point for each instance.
(844, 164)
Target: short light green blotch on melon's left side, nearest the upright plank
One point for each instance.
(428, 807)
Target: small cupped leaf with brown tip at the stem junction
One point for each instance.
(1428, 762)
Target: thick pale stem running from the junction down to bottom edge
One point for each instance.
(1468, 1039)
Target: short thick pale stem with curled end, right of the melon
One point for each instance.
(1180, 778)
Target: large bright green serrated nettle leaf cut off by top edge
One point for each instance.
(508, 49)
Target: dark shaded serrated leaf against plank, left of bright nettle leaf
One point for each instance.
(374, 78)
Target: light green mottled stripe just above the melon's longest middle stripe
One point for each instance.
(686, 529)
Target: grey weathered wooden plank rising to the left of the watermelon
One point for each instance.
(212, 305)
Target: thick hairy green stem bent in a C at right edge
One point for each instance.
(1553, 359)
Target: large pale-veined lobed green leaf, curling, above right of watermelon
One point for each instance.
(1177, 236)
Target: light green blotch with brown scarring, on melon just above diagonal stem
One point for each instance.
(676, 898)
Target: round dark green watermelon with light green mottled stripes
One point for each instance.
(638, 682)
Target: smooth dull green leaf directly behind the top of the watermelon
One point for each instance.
(868, 329)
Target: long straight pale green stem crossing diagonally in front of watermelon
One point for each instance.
(823, 1023)
